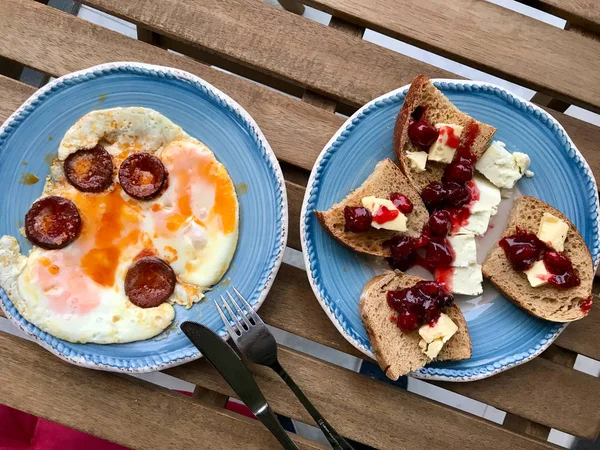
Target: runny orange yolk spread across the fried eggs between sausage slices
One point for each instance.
(112, 231)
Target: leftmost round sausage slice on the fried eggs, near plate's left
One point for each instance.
(52, 222)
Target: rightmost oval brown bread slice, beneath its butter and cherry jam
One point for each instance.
(546, 302)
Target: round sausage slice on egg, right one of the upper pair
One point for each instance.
(142, 176)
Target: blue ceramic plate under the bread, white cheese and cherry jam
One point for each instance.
(503, 335)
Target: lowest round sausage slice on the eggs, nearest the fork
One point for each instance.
(149, 282)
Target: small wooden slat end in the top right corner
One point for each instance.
(583, 12)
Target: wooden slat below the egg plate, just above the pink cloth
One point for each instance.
(121, 409)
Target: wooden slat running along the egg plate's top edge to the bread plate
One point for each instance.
(57, 43)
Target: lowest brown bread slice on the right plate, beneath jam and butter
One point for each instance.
(398, 353)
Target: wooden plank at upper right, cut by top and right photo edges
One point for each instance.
(488, 37)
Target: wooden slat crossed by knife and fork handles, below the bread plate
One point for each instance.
(363, 409)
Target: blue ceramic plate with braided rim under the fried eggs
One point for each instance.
(32, 135)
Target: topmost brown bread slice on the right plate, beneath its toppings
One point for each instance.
(439, 109)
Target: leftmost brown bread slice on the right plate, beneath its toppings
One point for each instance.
(386, 179)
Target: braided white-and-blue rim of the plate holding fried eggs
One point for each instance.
(161, 72)
